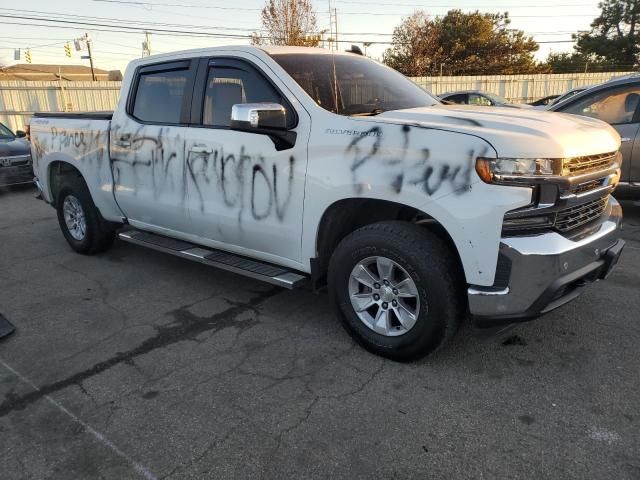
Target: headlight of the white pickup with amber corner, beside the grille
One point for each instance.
(507, 170)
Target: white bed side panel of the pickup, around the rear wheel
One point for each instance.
(83, 143)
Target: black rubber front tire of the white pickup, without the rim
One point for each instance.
(435, 271)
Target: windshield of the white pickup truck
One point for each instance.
(364, 87)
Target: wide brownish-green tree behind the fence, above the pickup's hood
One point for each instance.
(461, 44)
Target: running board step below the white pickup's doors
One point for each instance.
(258, 270)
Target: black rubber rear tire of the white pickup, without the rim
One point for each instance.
(99, 235)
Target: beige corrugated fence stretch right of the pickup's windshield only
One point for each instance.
(516, 88)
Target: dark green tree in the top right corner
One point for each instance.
(613, 38)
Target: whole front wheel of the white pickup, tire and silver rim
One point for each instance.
(397, 289)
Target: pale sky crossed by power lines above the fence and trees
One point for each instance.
(358, 21)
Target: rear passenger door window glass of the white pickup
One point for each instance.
(159, 96)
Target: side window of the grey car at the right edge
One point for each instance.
(611, 106)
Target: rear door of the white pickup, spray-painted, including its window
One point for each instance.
(148, 147)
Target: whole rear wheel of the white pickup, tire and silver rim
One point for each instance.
(79, 219)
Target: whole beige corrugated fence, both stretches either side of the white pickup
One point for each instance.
(20, 99)
